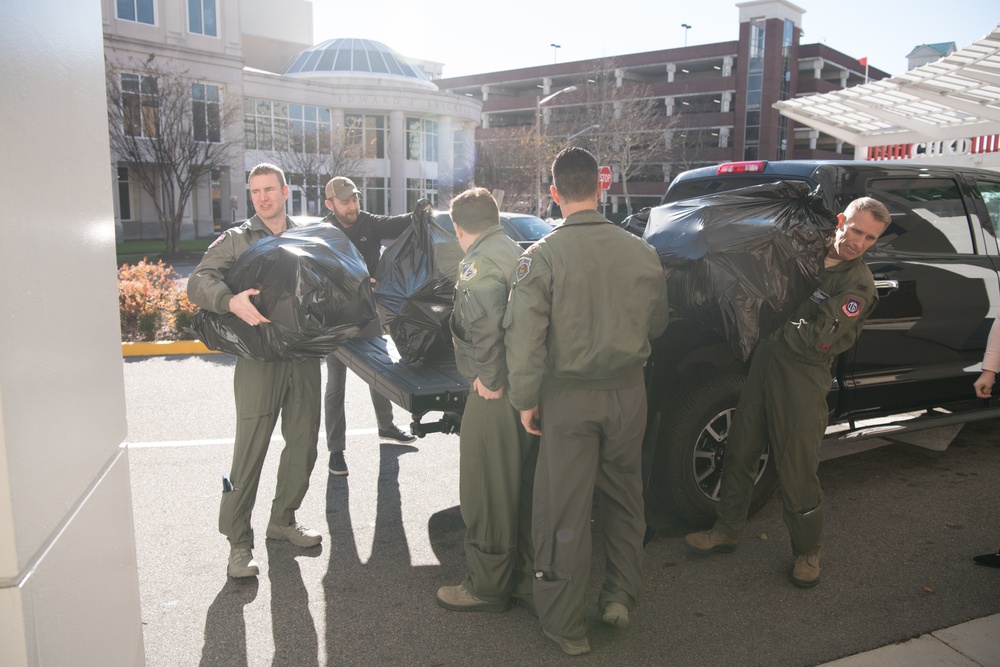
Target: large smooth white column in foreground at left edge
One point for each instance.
(69, 585)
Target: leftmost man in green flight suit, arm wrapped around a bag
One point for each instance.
(262, 389)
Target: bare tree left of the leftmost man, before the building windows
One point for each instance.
(171, 131)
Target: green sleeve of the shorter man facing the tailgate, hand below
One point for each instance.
(483, 302)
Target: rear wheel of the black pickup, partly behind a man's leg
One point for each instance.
(687, 468)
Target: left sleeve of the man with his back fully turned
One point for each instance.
(526, 324)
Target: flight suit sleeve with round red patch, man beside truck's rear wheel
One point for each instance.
(834, 326)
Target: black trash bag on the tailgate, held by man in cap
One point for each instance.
(415, 288)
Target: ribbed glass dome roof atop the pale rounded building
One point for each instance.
(359, 56)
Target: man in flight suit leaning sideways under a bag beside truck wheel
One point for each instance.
(784, 399)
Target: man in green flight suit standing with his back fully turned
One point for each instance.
(585, 303)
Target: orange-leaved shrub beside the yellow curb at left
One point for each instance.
(151, 303)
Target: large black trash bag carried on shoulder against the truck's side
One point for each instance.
(741, 261)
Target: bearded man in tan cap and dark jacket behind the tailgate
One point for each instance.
(366, 232)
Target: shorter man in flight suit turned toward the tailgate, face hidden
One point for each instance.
(497, 457)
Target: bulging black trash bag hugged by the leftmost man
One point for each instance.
(314, 287)
